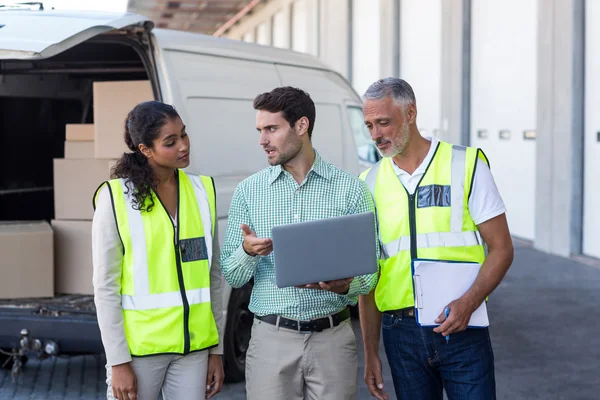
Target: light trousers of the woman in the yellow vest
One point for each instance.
(179, 377)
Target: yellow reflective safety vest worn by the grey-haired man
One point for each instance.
(432, 223)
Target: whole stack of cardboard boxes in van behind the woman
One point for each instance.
(91, 150)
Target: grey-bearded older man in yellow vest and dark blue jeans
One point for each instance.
(437, 201)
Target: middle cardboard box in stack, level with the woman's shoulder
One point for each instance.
(75, 182)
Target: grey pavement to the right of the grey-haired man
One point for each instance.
(546, 328)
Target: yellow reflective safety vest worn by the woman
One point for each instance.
(165, 283)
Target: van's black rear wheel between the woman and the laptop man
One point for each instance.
(237, 333)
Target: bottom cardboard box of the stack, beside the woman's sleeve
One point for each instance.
(73, 257)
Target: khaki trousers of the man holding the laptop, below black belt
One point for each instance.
(285, 364)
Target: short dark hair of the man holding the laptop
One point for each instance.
(294, 103)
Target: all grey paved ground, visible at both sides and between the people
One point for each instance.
(545, 333)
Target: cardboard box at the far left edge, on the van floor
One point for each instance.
(27, 265)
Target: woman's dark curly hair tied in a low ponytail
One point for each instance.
(142, 125)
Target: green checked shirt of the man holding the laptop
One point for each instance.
(272, 197)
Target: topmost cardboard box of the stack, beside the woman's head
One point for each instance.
(112, 102)
